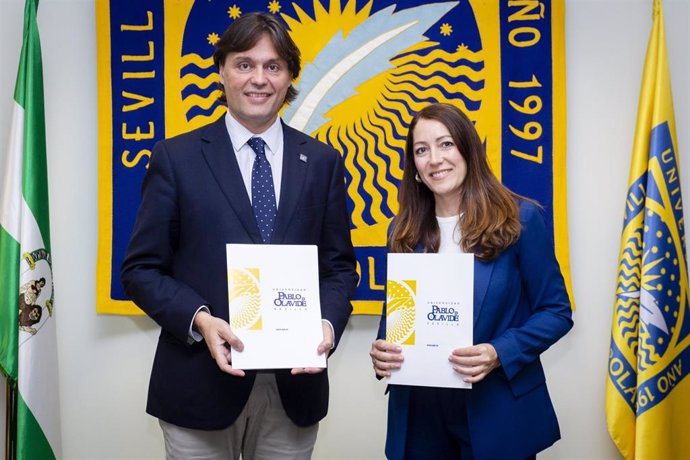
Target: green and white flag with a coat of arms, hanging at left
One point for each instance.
(28, 354)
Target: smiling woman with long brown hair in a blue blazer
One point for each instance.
(450, 201)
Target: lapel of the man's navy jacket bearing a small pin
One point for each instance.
(295, 163)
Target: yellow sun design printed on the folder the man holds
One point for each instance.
(244, 298)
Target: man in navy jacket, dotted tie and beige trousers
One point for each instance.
(217, 185)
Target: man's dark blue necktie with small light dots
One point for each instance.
(263, 192)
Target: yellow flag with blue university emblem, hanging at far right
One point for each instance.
(647, 392)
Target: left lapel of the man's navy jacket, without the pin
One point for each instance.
(219, 154)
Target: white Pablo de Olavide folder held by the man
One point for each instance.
(273, 293)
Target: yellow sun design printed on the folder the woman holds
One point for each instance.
(400, 311)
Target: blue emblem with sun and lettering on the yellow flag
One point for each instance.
(651, 296)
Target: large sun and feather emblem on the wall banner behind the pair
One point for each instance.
(365, 73)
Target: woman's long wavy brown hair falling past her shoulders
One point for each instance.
(490, 215)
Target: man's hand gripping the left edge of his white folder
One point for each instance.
(219, 339)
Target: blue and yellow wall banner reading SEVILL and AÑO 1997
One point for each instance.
(368, 66)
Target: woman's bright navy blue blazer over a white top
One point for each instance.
(521, 307)
